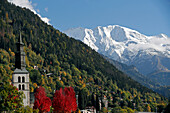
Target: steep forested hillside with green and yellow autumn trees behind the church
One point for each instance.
(71, 63)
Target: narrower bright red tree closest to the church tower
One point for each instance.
(42, 102)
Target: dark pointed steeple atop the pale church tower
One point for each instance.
(20, 54)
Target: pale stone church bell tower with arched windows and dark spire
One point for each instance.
(20, 76)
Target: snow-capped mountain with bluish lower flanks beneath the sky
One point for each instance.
(147, 53)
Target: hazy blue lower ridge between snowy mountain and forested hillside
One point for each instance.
(149, 81)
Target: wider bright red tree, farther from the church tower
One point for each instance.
(64, 101)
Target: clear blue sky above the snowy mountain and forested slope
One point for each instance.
(150, 17)
